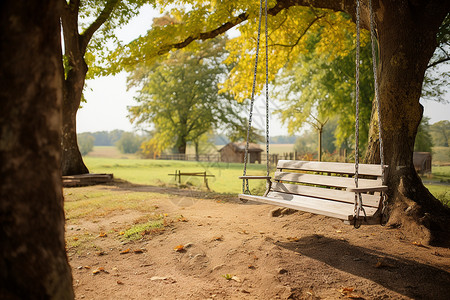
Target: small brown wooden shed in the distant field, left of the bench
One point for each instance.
(235, 152)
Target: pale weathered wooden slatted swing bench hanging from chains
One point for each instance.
(325, 188)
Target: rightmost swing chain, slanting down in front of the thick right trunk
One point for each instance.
(377, 98)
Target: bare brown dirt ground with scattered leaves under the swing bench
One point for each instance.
(232, 250)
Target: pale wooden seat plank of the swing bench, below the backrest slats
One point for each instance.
(334, 209)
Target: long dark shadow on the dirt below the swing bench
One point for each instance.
(407, 277)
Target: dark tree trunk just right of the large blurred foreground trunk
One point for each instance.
(76, 69)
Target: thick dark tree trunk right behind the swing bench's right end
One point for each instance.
(404, 55)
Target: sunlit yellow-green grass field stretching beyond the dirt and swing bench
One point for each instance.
(156, 172)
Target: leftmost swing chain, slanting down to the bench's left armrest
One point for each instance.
(245, 187)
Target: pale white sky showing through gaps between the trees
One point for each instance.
(108, 97)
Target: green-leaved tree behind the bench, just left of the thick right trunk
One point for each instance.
(323, 84)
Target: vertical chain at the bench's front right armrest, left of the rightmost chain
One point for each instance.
(358, 200)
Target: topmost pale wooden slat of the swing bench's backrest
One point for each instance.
(330, 167)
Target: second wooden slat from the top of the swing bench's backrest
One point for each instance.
(333, 181)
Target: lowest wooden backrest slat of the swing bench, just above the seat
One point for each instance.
(330, 194)
